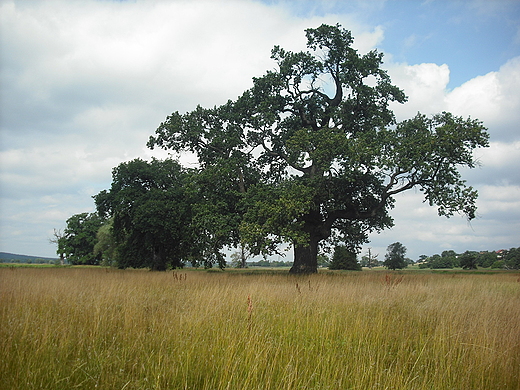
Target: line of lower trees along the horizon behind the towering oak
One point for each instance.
(140, 223)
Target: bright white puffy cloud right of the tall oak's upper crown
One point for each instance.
(492, 98)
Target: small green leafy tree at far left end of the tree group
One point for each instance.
(80, 237)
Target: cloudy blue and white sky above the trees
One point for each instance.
(83, 84)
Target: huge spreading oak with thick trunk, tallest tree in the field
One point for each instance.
(312, 151)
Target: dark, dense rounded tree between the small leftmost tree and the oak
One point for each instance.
(151, 206)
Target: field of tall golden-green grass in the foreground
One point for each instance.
(84, 328)
